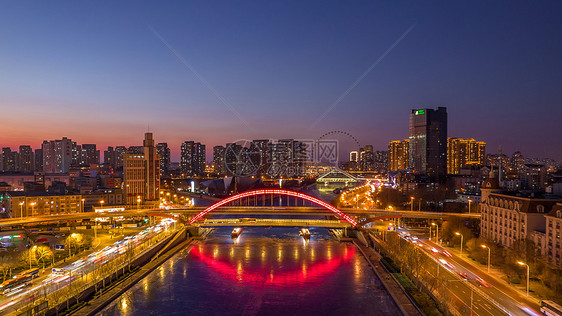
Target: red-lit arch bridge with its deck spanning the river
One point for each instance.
(343, 219)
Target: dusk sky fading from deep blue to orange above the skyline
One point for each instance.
(96, 72)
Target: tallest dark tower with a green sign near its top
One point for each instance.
(428, 142)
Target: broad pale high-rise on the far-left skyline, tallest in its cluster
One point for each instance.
(58, 155)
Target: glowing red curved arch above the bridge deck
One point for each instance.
(274, 192)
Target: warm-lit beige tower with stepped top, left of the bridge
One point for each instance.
(141, 174)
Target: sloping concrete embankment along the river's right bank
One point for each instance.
(398, 293)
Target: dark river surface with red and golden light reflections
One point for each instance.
(266, 271)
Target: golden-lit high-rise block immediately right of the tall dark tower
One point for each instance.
(464, 152)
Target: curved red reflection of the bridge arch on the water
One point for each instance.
(306, 273)
